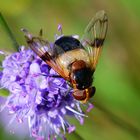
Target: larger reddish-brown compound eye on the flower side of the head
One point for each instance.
(79, 95)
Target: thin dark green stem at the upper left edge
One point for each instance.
(9, 32)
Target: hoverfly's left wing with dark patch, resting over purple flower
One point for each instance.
(44, 51)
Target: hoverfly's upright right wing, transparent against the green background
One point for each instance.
(94, 36)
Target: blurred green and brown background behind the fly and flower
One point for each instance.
(116, 114)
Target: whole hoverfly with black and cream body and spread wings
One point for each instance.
(75, 60)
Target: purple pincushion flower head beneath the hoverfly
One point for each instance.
(45, 101)
